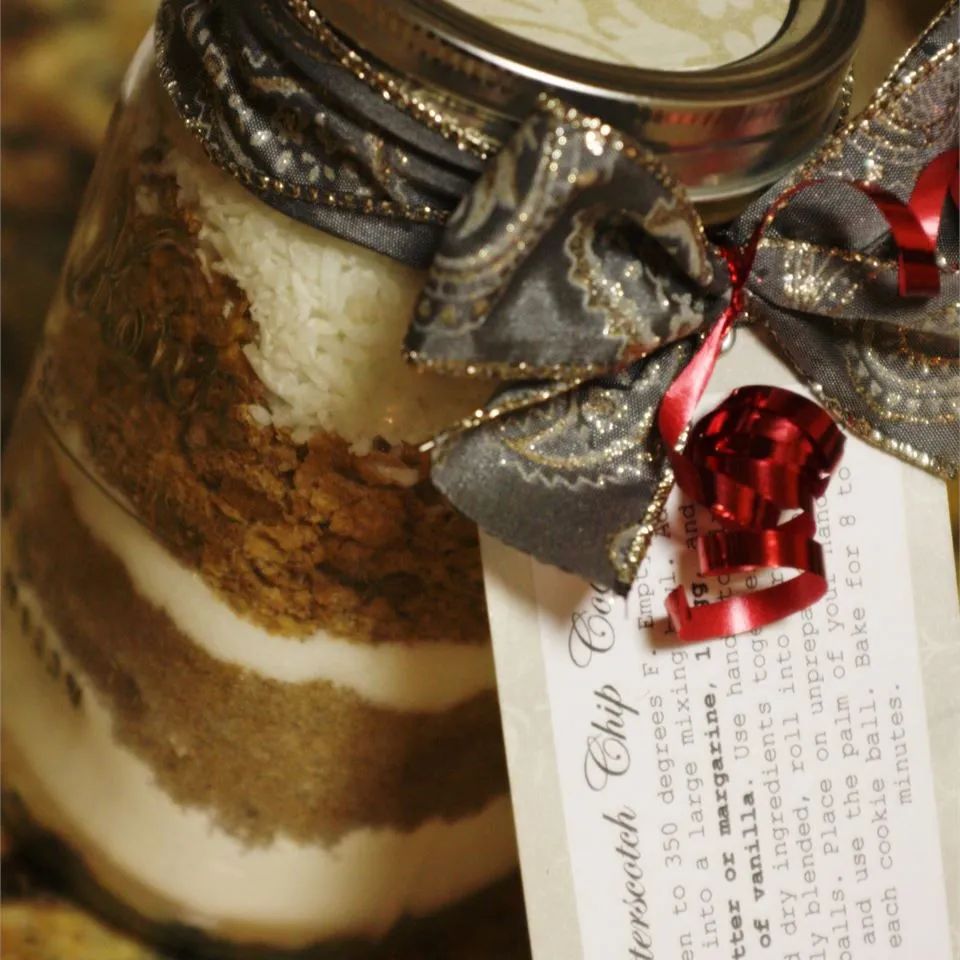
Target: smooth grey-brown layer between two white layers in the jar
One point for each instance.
(309, 760)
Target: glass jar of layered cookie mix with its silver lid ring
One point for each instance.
(248, 688)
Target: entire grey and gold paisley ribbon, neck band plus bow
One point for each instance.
(578, 274)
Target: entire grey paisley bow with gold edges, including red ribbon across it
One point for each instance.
(577, 272)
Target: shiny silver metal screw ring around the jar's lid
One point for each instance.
(723, 132)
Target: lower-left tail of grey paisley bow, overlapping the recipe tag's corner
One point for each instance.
(576, 479)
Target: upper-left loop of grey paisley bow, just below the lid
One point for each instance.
(573, 252)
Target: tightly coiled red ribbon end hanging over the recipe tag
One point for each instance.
(764, 450)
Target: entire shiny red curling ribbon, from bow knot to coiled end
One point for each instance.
(765, 450)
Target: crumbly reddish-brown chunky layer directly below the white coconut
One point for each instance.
(146, 361)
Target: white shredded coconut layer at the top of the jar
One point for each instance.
(331, 314)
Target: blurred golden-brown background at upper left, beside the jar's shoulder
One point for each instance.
(61, 66)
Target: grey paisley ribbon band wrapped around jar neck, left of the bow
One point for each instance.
(274, 105)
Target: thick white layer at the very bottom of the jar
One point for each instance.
(174, 865)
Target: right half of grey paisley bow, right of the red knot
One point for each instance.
(887, 367)
